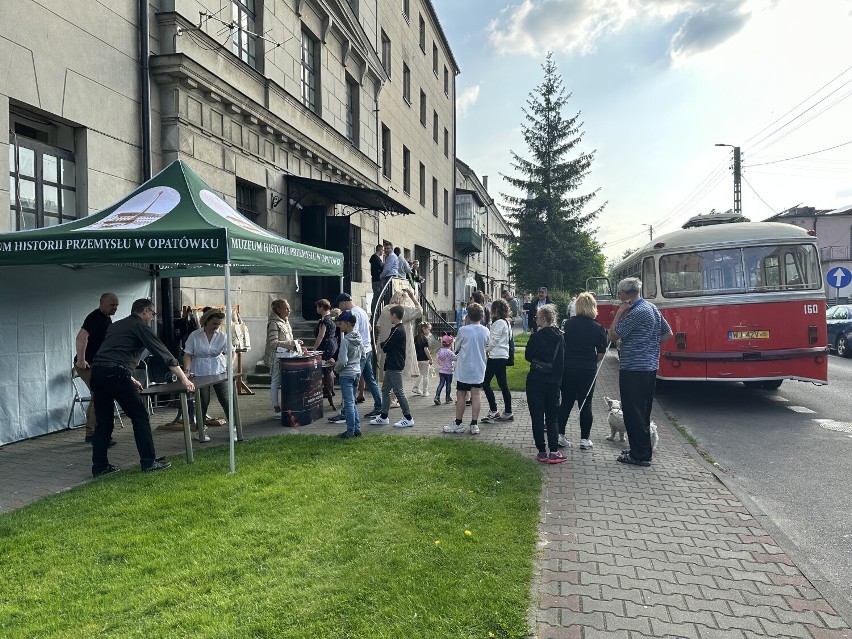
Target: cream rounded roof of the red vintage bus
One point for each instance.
(740, 232)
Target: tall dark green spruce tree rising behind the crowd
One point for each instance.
(554, 246)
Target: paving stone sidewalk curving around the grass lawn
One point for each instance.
(625, 552)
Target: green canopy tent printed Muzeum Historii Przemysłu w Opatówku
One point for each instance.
(177, 225)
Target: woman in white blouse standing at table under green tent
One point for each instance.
(204, 354)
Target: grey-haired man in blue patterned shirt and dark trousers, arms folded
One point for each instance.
(641, 329)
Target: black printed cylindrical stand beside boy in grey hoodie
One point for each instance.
(301, 389)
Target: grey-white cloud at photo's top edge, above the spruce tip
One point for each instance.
(532, 27)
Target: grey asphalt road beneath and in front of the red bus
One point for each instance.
(790, 451)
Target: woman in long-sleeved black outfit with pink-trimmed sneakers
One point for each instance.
(545, 346)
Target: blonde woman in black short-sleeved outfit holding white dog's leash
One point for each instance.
(585, 346)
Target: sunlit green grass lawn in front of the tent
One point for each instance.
(312, 537)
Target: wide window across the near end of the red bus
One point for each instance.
(740, 270)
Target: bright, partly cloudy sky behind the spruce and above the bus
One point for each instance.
(657, 84)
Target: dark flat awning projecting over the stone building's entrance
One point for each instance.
(304, 191)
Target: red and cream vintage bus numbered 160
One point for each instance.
(746, 302)
